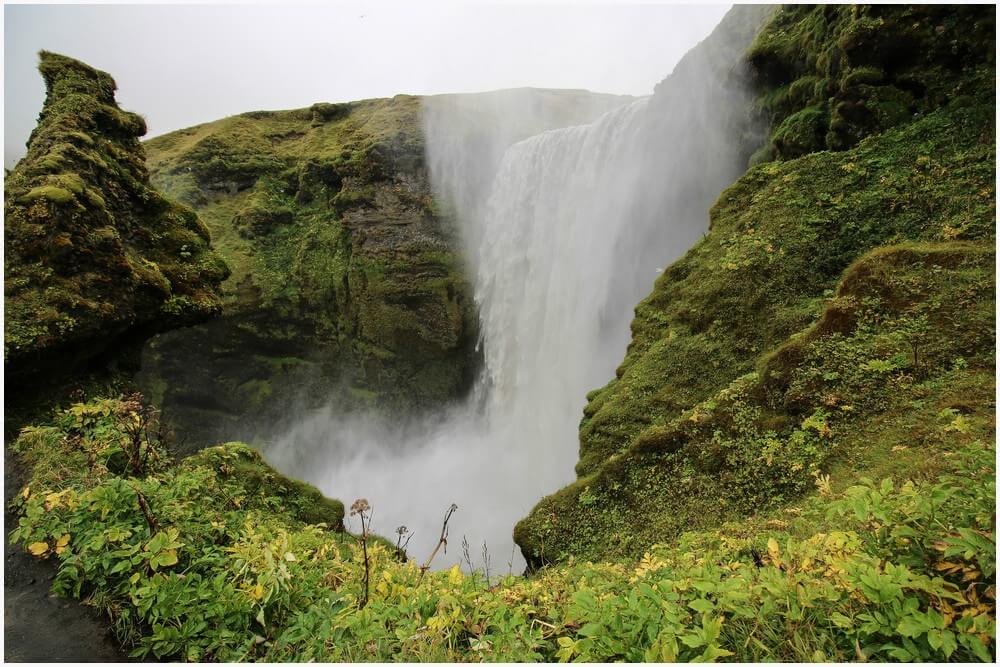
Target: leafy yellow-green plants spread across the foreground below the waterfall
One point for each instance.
(224, 564)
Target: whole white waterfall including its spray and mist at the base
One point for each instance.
(569, 239)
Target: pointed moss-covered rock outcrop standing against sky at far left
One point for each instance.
(93, 252)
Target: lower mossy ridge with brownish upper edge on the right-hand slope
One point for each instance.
(907, 335)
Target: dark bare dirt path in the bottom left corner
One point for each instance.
(38, 626)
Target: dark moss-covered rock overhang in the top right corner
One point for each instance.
(833, 75)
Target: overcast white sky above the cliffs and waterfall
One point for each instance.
(182, 65)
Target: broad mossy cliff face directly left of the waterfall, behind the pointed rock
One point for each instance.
(347, 281)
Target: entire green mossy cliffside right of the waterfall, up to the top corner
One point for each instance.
(839, 301)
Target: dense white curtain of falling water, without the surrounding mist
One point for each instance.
(548, 262)
